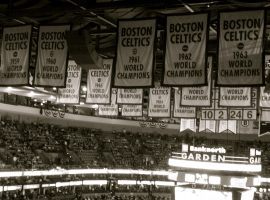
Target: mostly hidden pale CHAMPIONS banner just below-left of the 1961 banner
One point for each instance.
(110, 109)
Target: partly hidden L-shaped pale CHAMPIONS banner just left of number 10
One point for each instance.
(181, 111)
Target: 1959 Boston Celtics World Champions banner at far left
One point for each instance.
(15, 53)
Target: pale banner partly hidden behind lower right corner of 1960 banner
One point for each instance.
(71, 94)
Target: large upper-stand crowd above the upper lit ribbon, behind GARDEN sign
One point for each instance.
(45, 146)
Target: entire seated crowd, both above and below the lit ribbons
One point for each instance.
(45, 146)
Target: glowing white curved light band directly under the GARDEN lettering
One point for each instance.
(214, 166)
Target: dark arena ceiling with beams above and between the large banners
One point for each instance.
(99, 18)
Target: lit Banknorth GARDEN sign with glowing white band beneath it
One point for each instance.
(215, 159)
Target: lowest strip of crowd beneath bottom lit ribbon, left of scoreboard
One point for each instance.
(89, 193)
